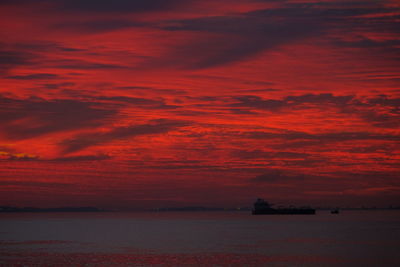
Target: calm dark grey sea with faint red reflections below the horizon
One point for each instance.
(351, 238)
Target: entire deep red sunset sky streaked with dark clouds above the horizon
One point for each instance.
(143, 104)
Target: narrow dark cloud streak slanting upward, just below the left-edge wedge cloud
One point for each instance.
(91, 139)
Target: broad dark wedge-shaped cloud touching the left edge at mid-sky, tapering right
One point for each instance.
(27, 118)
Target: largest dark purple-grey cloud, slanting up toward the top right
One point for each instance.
(237, 37)
